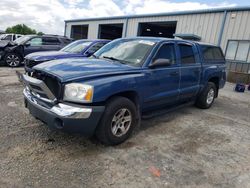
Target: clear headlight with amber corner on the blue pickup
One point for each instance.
(78, 92)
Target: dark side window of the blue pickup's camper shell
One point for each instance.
(211, 53)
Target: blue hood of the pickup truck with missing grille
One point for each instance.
(82, 68)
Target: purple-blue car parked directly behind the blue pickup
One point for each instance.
(79, 48)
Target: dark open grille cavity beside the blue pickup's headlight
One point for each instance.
(51, 82)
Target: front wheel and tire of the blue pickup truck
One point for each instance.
(113, 129)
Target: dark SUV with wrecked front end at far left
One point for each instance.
(13, 53)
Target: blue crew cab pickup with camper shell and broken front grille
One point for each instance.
(106, 95)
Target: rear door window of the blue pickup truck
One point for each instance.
(187, 54)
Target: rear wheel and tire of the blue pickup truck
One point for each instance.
(207, 96)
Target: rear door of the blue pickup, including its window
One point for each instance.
(190, 70)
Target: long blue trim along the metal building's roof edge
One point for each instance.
(214, 10)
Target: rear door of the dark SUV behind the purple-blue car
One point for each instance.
(51, 44)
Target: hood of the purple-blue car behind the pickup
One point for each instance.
(51, 55)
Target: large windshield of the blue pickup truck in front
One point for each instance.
(127, 51)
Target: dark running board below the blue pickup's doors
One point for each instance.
(161, 112)
